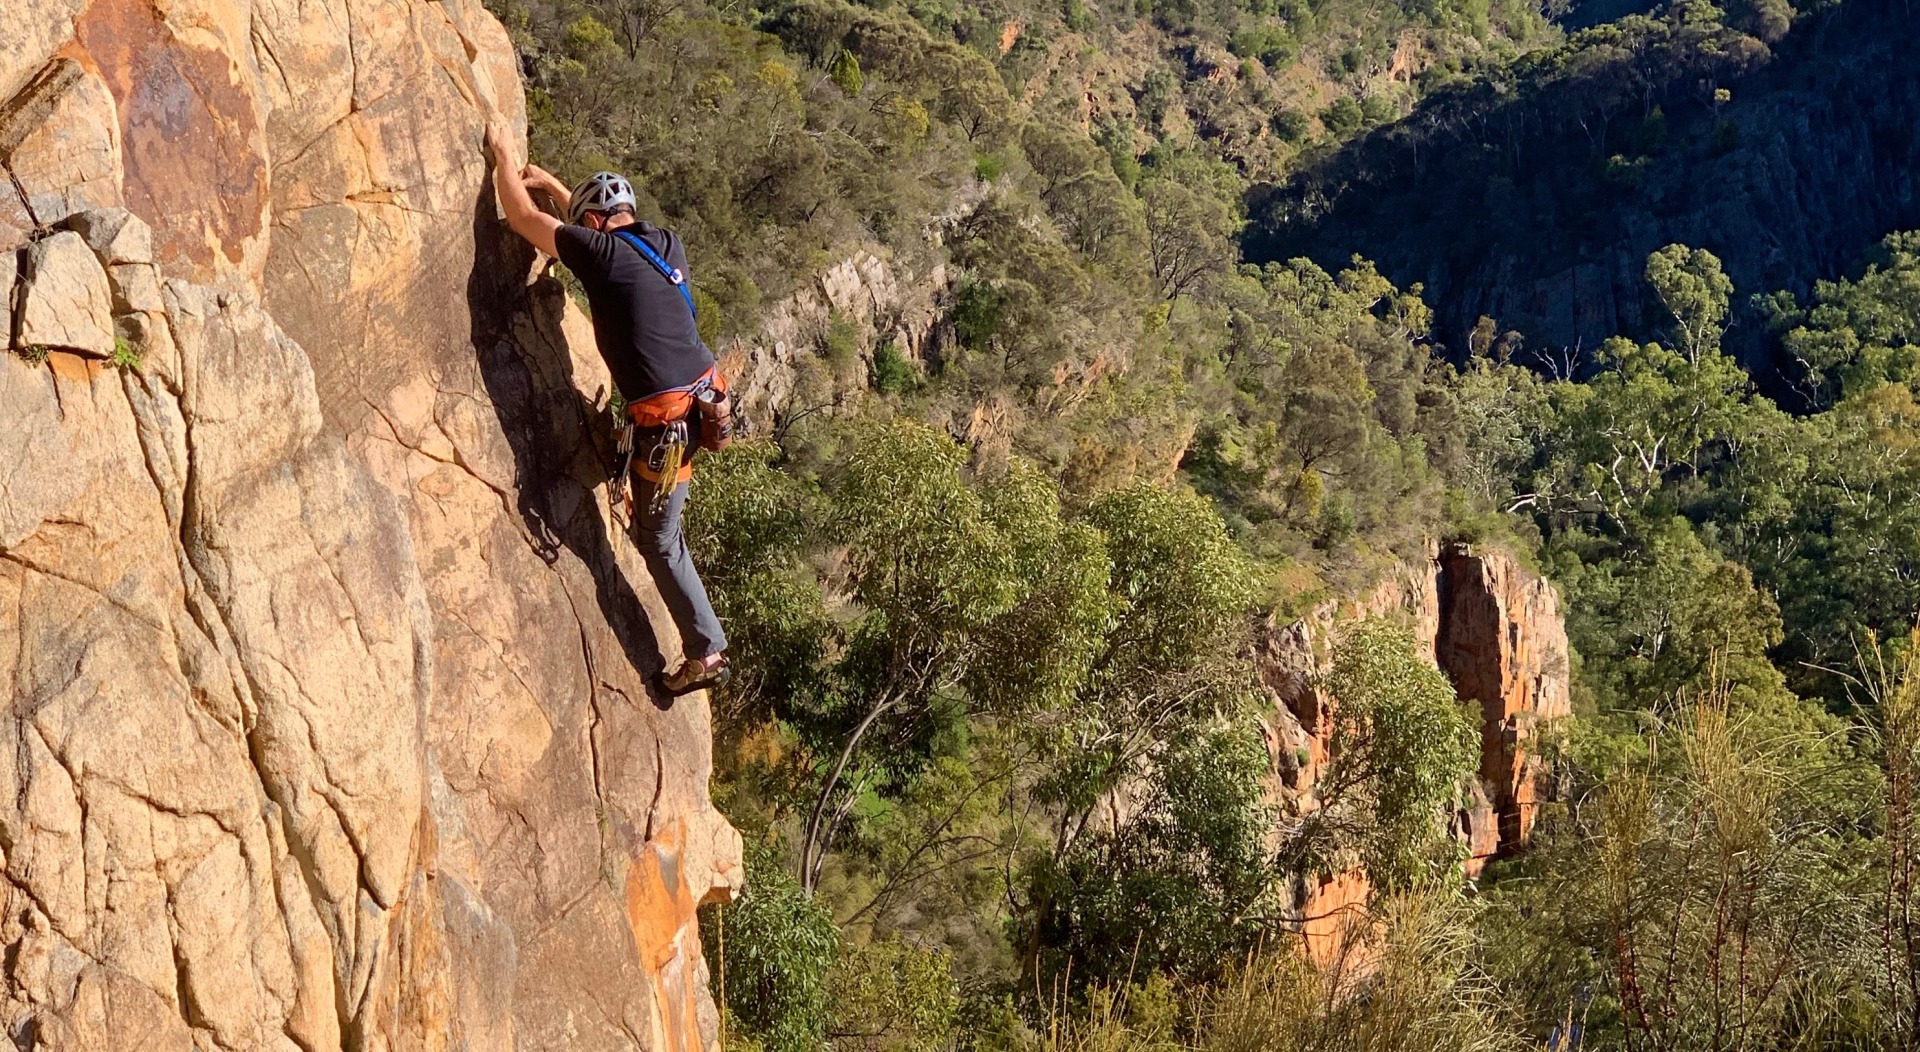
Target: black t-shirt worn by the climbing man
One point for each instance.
(640, 320)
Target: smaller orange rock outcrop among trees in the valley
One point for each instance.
(1497, 631)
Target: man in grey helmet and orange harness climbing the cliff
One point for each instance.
(644, 322)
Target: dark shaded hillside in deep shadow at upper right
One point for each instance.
(1783, 147)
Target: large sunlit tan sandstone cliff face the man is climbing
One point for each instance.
(327, 675)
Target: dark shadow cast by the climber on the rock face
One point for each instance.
(562, 442)
